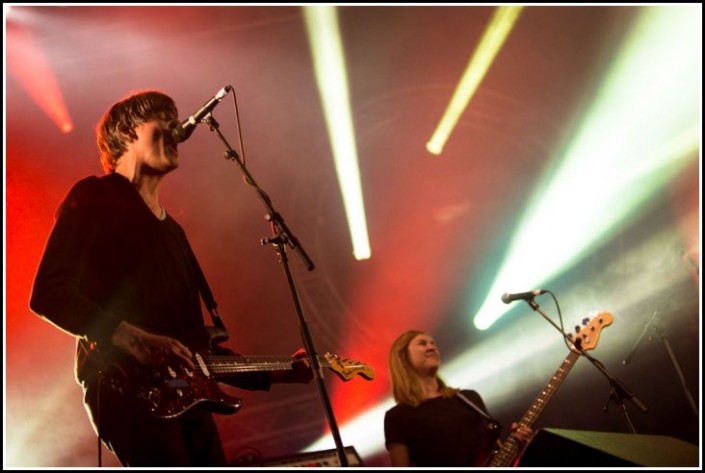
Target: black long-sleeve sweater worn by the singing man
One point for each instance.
(108, 259)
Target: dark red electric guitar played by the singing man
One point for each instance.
(167, 392)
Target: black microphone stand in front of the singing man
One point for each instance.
(282, 237)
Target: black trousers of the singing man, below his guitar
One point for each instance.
(139, 439)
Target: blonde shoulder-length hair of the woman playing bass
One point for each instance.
(406, 386)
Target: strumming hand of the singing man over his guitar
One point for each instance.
(149, 348)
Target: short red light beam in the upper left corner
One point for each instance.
(30, 67)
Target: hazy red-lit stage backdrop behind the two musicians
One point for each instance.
(439, 226)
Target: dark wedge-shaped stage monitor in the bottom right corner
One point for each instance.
(579, 448)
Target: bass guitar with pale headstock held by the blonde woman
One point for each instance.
(588, 336)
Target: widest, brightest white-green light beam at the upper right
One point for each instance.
(643, 128)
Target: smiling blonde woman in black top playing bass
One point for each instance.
(432, 424)
